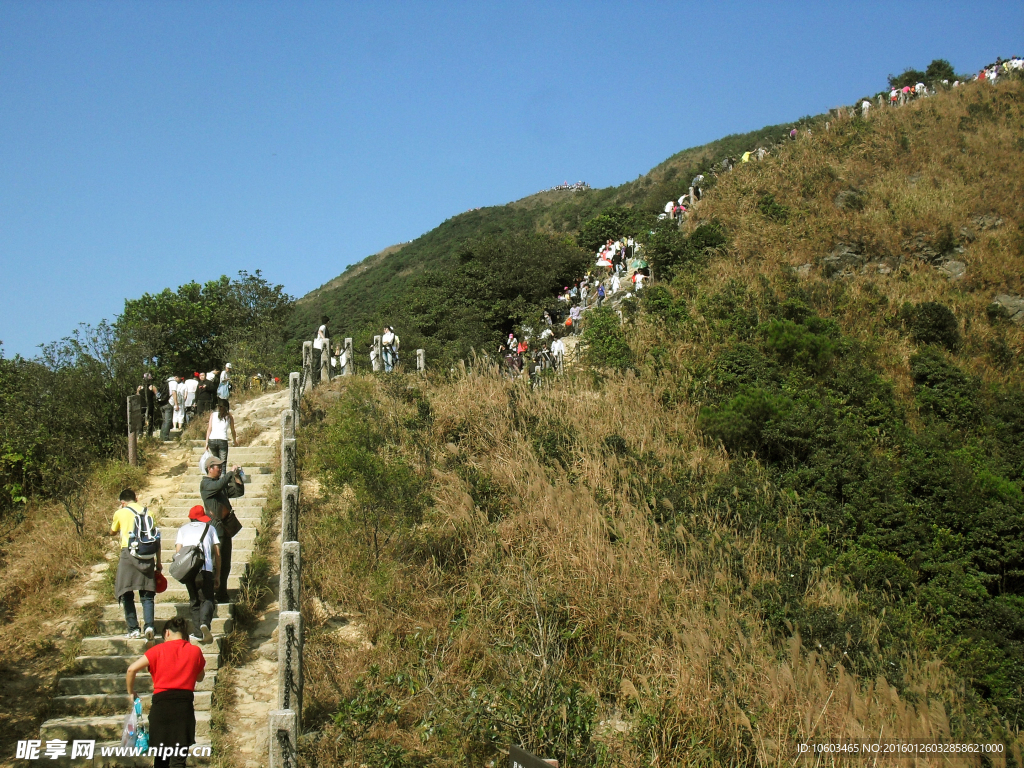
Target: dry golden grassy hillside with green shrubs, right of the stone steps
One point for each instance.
(797, 511)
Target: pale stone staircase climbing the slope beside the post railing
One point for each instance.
(92, 704)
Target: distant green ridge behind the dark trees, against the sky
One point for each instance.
(380, 289)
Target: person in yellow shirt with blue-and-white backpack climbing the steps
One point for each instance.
(139, 564)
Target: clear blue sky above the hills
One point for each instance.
(145, 145)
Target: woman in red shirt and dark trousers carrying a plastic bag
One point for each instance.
(177, 666)
